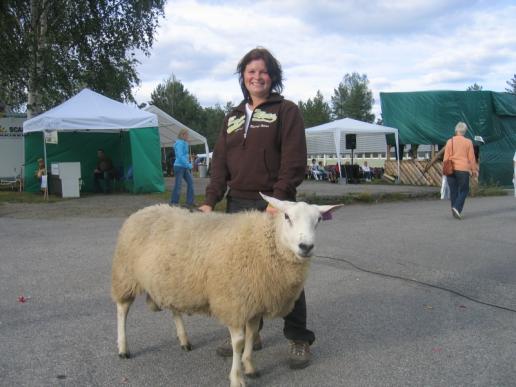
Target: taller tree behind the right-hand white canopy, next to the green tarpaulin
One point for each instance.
(353, 98)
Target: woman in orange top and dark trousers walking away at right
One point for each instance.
(459, 150)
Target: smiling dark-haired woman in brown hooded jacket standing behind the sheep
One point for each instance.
(262, 148)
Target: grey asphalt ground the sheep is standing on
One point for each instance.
(400, 294)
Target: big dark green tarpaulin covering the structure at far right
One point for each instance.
(429, 117)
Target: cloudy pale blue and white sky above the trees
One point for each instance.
(401, 45)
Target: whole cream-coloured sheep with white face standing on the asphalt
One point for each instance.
(237, 268)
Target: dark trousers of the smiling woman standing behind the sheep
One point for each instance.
(295, 322)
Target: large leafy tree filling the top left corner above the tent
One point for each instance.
(50, 49)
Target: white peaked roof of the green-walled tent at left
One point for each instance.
(89, 110)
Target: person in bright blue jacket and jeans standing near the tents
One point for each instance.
(182, 170)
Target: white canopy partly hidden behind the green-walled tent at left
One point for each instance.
(169, 129)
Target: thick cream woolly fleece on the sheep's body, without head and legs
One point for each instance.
(233, 267)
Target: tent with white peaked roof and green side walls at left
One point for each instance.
(89, 121)
